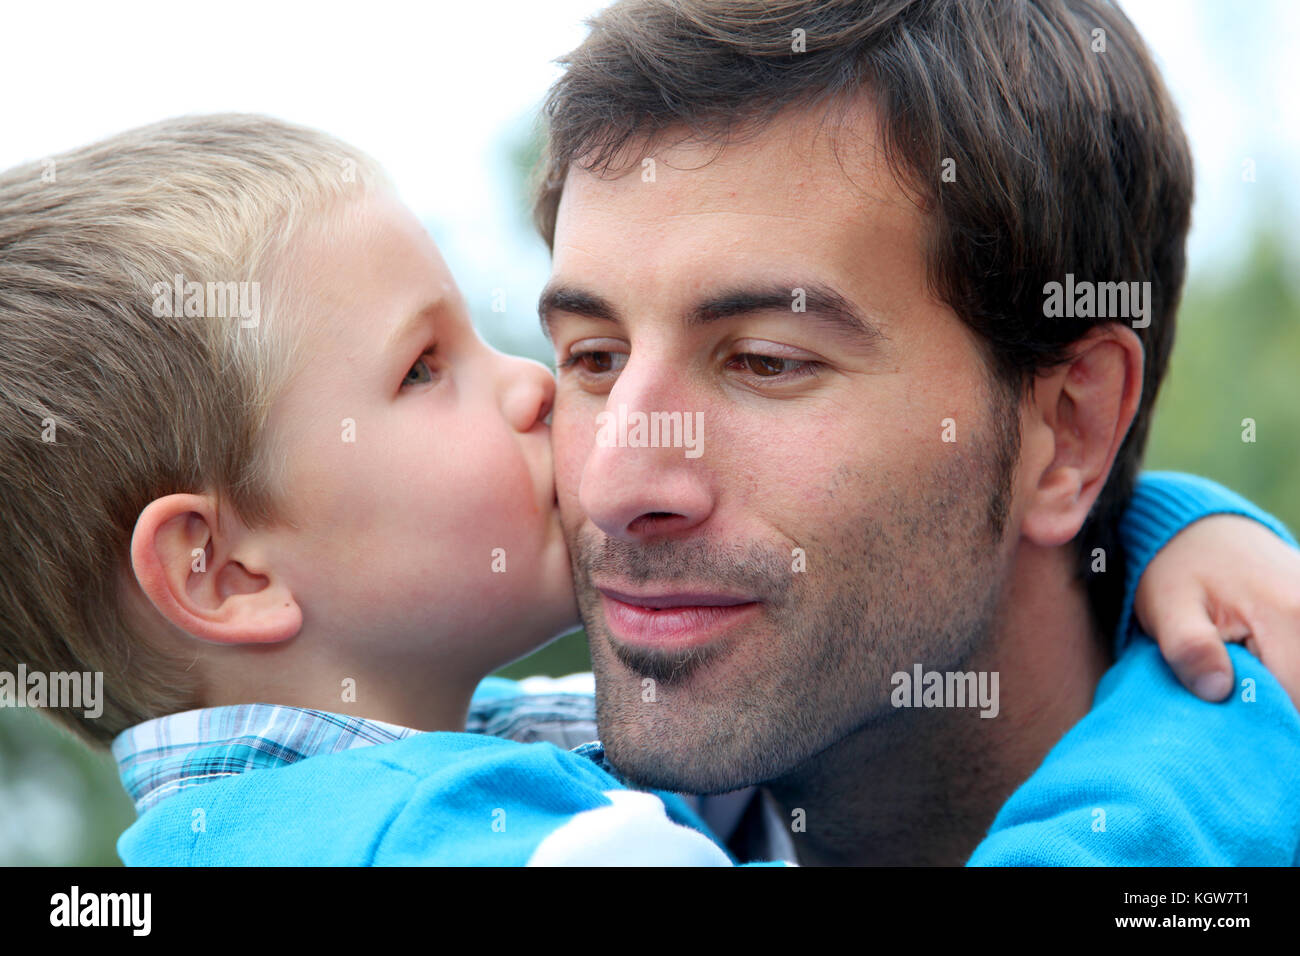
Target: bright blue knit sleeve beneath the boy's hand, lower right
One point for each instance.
(1156, 777)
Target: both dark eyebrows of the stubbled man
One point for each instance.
(820, 304)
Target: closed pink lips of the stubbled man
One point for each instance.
(673, 620)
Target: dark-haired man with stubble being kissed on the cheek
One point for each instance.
(827, 232)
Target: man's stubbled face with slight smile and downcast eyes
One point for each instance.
(748, 607)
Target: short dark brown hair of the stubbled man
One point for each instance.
(1065, 154)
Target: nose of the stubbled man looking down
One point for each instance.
(632, 491)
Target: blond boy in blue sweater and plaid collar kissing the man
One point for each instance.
(261, 473)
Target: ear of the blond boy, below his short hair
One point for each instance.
(198, 574)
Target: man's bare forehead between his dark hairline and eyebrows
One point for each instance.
(800, 200)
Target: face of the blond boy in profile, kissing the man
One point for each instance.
(418, 461)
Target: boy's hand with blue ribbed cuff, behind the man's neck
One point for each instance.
(1206, 566)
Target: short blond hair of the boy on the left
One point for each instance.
(106, 405)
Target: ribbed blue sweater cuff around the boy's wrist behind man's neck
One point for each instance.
(1164, 504)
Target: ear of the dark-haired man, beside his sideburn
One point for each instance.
(1078, 419)
